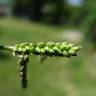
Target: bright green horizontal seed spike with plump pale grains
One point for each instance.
(49, 49)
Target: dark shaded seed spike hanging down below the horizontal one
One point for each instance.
(23, 60)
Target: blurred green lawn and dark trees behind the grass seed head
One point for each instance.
(49, 20)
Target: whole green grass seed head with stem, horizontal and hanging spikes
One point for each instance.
(24, 50)
